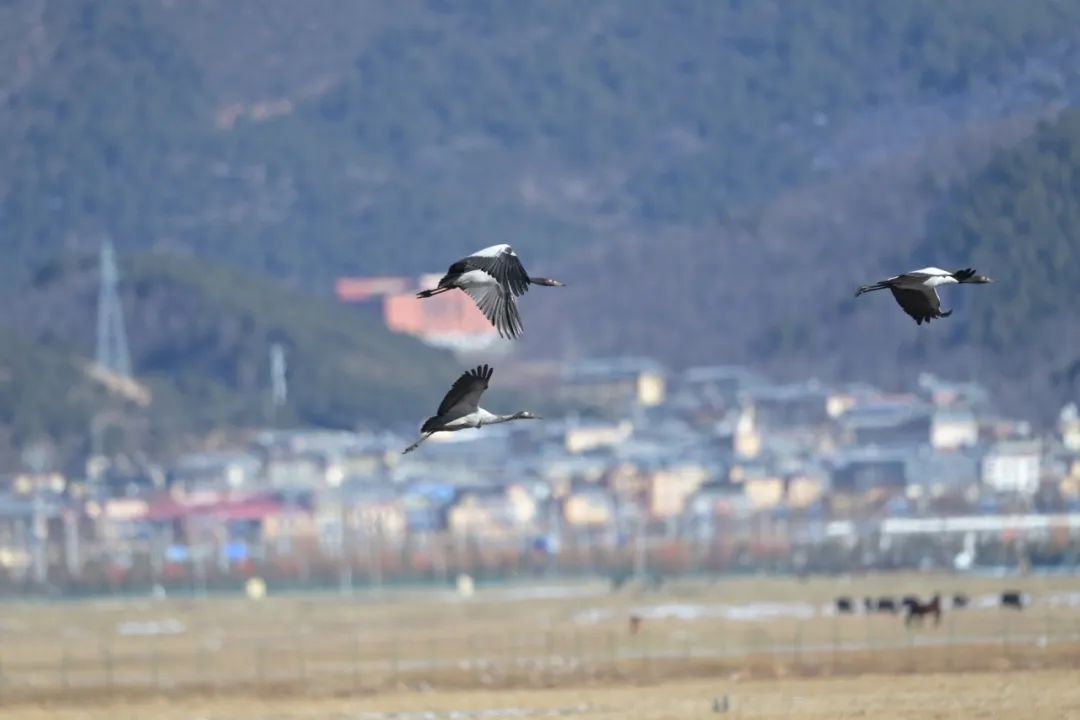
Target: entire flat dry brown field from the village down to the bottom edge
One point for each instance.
(772, 645)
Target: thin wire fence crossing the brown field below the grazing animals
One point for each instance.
(335, 660)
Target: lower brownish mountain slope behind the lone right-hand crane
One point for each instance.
(758, 291)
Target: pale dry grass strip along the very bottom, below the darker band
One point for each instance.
(1003, 696)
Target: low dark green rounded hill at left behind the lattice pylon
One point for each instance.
(200, 338)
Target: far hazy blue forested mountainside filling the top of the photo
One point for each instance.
(555, 124)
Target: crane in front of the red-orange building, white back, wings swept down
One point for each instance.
(493, 278)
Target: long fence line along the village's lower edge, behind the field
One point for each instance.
(438, 558)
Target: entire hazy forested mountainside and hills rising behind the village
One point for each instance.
(715, 176)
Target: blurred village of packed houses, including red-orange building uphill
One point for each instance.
(707, 470)
